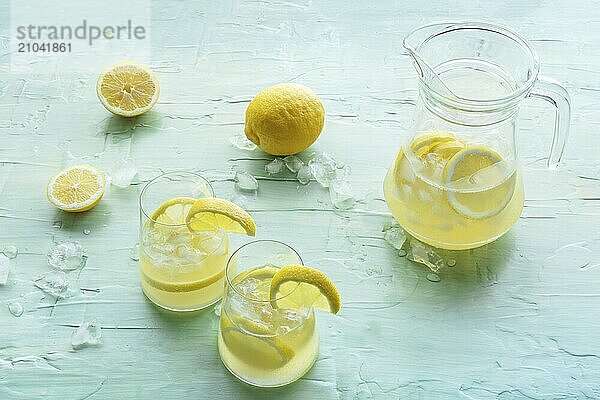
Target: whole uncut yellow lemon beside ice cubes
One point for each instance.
(284, 119)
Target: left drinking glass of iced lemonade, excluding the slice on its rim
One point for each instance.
(179, 270)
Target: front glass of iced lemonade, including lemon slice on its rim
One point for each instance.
(267, 333)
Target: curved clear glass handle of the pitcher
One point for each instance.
(550, 90)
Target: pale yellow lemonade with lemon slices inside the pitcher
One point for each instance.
(451, 194)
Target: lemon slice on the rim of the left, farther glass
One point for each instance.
(209, 214)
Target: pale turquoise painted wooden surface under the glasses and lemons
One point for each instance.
(514, 319)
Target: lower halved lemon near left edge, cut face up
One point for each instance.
(76, 189)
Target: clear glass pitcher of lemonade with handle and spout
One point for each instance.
(456, 182)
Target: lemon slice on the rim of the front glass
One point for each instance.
(299, 286)
